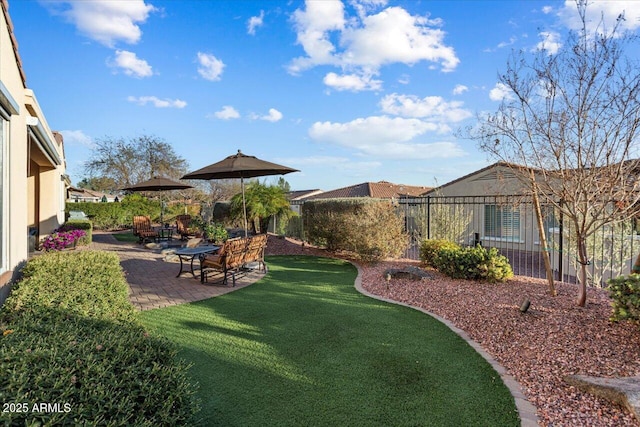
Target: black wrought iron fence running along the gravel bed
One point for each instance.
(508, 223)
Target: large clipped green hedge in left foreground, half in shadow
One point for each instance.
(71, 337)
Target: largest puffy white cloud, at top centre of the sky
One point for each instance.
(367, 42)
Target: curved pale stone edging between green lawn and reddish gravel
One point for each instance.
(526, 410)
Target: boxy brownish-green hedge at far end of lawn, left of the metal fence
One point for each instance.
(372, 229)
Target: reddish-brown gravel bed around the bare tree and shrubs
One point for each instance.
(555, 338)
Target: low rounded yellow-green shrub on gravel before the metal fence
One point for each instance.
(474, 263)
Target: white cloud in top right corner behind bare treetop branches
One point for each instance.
(603, 10)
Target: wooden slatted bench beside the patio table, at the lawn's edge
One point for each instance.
(233, 257)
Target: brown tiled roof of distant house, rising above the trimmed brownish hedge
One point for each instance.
(376, 190)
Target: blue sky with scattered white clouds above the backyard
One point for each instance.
(346, 91)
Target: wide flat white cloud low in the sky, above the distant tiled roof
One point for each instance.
(386, 137)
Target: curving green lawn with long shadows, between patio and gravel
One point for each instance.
(303, 347)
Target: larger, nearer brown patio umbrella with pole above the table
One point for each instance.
(239, 166)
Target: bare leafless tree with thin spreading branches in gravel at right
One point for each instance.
(572, 121)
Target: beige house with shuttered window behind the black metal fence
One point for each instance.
(493, 208)
